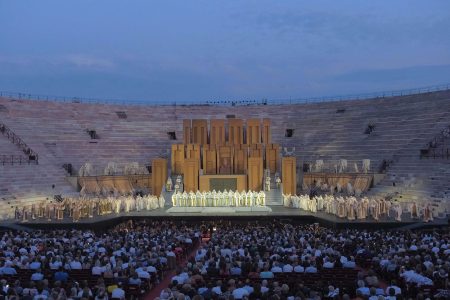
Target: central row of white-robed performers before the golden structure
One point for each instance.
(215, 199)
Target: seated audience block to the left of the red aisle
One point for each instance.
(90, 264)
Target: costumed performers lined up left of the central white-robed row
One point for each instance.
(82, 207)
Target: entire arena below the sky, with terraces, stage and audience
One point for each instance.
(335, 199)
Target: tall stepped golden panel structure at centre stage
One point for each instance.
(225, 148)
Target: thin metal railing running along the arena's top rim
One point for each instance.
(222, 102)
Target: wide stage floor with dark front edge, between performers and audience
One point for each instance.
(212, 213)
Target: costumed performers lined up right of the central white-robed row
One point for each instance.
(353, 208)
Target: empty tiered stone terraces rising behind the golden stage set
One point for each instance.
(57, 132)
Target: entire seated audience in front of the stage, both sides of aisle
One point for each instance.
(241, 260)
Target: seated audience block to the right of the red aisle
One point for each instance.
(283, 261)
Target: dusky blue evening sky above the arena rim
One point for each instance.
(230, 50)
